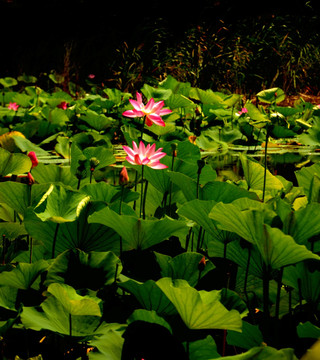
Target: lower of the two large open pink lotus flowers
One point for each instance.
(145, 155)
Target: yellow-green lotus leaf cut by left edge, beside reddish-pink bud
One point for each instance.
(14, 164)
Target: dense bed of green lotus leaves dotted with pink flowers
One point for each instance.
(175, 256)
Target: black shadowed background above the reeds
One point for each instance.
(35, 33)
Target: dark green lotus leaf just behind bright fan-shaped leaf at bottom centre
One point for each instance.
(184, 266)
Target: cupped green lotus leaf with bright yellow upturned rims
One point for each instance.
(60, 204)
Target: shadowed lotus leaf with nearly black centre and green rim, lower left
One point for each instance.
(81, 270)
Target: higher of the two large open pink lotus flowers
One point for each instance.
(152, 111)
